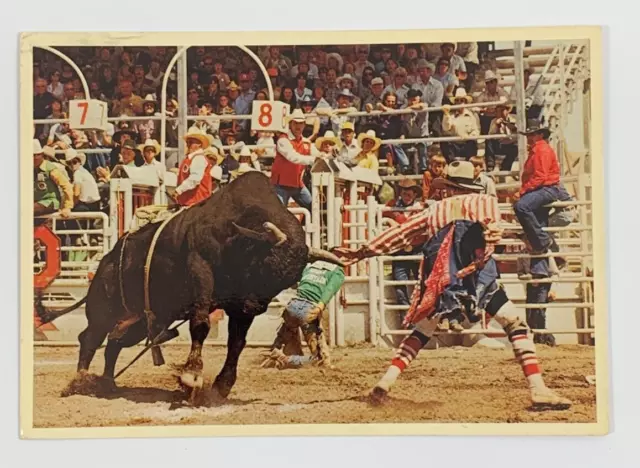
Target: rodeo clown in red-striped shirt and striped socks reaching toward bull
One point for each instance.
(457, 274)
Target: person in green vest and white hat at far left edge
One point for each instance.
(51, 190)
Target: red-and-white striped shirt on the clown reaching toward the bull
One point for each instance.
(421, 227)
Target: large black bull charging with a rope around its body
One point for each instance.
(216, 254)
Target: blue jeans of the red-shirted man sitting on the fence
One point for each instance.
(533, 216)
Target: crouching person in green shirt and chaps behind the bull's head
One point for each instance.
(320, 282)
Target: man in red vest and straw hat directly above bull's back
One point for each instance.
(193, 186)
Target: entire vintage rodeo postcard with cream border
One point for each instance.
(333, 229)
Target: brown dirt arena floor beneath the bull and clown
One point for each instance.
(443, 385)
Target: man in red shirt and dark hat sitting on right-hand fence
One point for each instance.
(540, 186)
